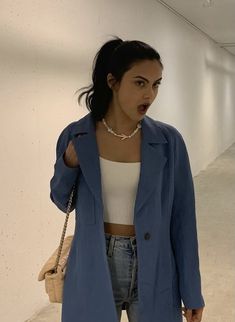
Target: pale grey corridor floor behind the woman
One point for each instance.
(215, 205)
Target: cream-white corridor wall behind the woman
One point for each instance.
(46, 52)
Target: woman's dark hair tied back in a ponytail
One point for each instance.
(116, 57)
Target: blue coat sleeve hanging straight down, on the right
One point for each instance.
(184, 228)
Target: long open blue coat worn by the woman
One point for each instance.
(164, 219)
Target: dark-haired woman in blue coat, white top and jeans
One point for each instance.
(135, 242)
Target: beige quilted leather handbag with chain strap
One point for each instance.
(53, 271)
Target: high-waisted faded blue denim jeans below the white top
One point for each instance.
(122, 260)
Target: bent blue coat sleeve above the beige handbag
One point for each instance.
(64, 177)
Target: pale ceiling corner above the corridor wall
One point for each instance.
(215, 18)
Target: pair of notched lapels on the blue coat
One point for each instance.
(153, 159)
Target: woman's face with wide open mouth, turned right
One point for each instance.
(138, 86)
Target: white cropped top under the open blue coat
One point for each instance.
(119, 186)
